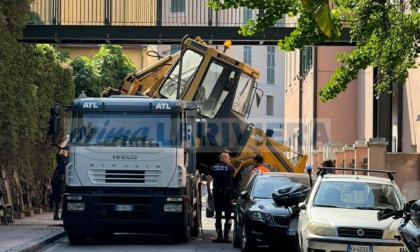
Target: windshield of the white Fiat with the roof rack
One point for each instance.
(358, 195)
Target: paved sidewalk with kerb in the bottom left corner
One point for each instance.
(30, 233)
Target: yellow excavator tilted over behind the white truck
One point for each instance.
(224, 89)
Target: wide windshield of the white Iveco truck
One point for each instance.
(126, 129)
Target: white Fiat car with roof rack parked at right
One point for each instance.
(340, 214)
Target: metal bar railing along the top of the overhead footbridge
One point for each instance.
(140, 13)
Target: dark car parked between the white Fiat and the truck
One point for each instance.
(259, 220)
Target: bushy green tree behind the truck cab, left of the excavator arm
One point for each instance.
(107, 68)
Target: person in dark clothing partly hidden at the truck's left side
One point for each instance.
(57, 181)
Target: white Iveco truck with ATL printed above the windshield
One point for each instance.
(131, 167)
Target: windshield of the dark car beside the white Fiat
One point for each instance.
(264, 187)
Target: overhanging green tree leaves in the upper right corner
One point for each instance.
(386, 34)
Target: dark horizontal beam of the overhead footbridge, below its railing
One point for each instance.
(76, 34)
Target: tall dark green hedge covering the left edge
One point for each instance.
(32, 78)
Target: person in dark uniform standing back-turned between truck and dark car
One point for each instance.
(222, 176)
